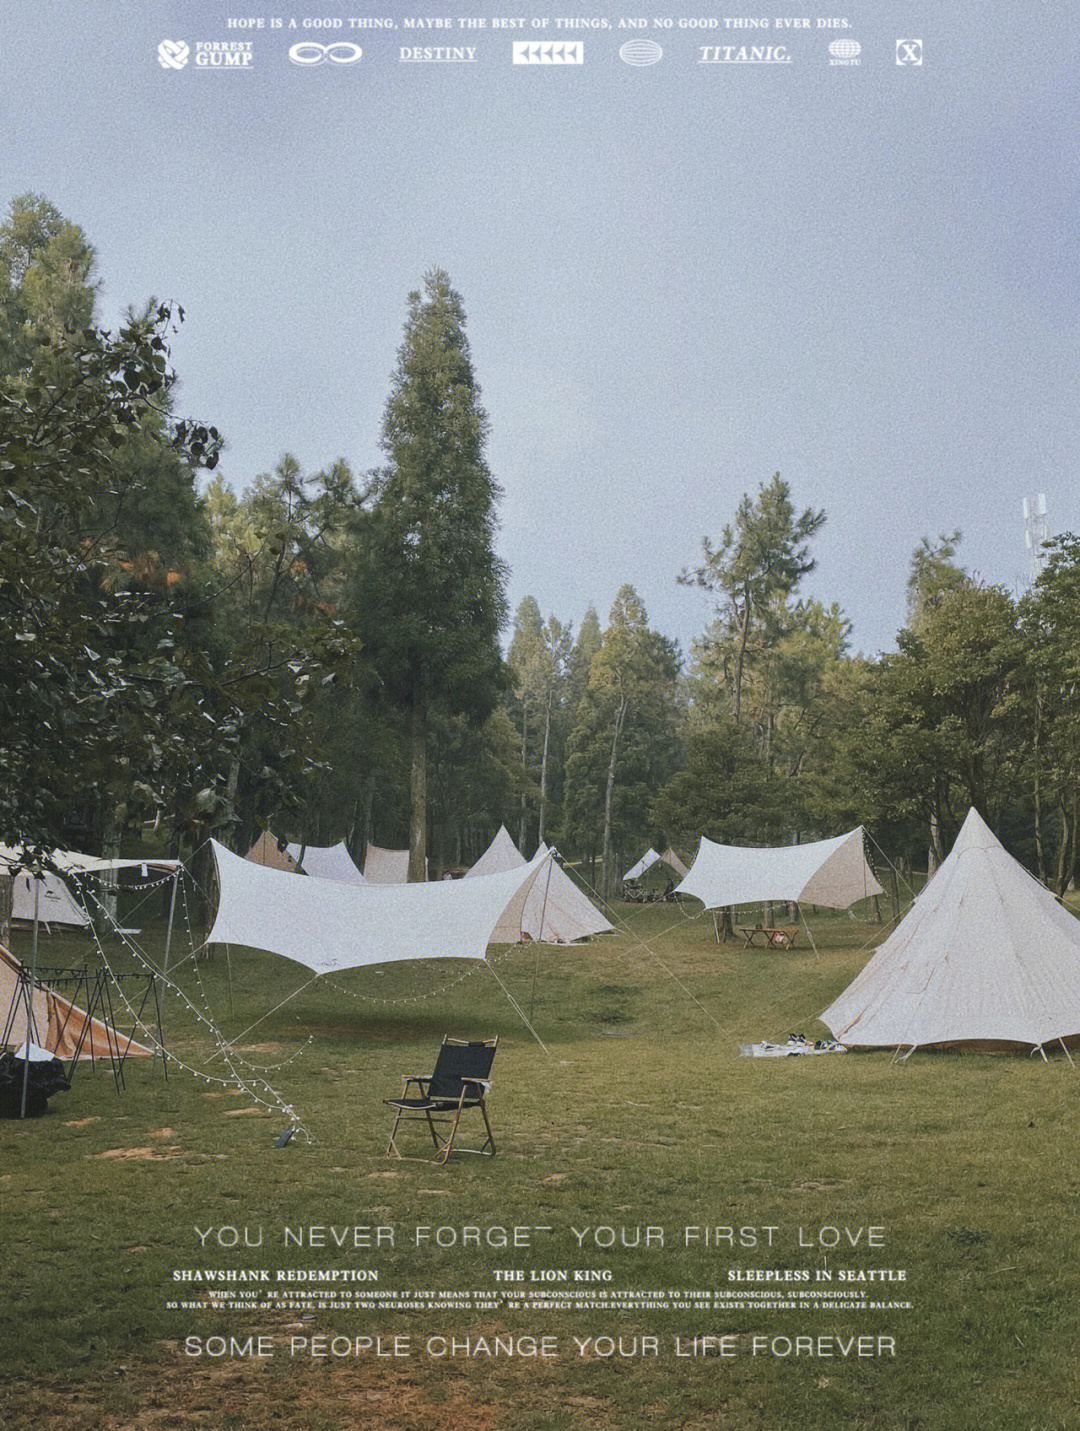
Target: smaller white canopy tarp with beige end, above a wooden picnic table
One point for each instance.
(828, 872)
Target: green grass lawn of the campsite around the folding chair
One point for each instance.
(640, 1115)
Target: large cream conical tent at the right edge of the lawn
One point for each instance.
(985, 957)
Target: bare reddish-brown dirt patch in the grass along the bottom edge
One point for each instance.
(247, 1396)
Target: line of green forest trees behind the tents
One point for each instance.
(330, 655)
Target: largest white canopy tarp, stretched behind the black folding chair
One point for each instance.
(331, 927)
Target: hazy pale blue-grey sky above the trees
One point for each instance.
(680, 278)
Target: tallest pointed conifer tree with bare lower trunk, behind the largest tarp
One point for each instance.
(430, 593)
